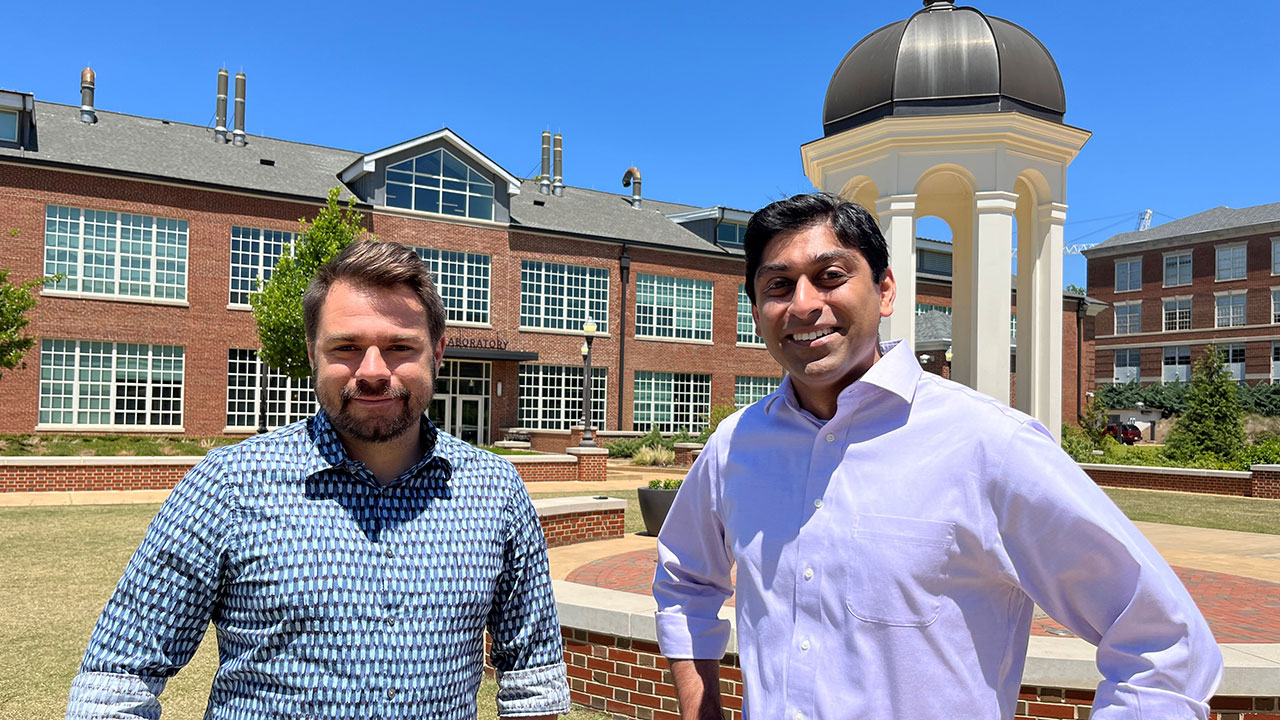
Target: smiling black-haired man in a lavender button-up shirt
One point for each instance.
(893, 531)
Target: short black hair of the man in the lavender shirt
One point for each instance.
(853, 225)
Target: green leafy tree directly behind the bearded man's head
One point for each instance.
(278, 303)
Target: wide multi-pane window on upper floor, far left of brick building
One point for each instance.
(116, 254)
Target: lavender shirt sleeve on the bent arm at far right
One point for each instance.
(1077, 555)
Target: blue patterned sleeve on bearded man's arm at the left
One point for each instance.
(156, 619)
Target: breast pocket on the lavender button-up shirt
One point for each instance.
(898, 569)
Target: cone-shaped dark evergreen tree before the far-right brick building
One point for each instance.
(1214, 422)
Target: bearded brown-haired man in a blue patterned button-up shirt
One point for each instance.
(350, 563)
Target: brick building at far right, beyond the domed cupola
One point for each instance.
(1176, 289)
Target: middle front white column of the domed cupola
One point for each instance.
(993, 253)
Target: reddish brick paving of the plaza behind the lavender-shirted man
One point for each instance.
(1240, 610)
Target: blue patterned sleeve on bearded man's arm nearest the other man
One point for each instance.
(527, 649)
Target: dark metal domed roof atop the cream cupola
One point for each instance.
(944, 61)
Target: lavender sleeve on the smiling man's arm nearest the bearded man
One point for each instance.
(693, 580)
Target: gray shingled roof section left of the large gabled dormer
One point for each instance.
(161, 149)
